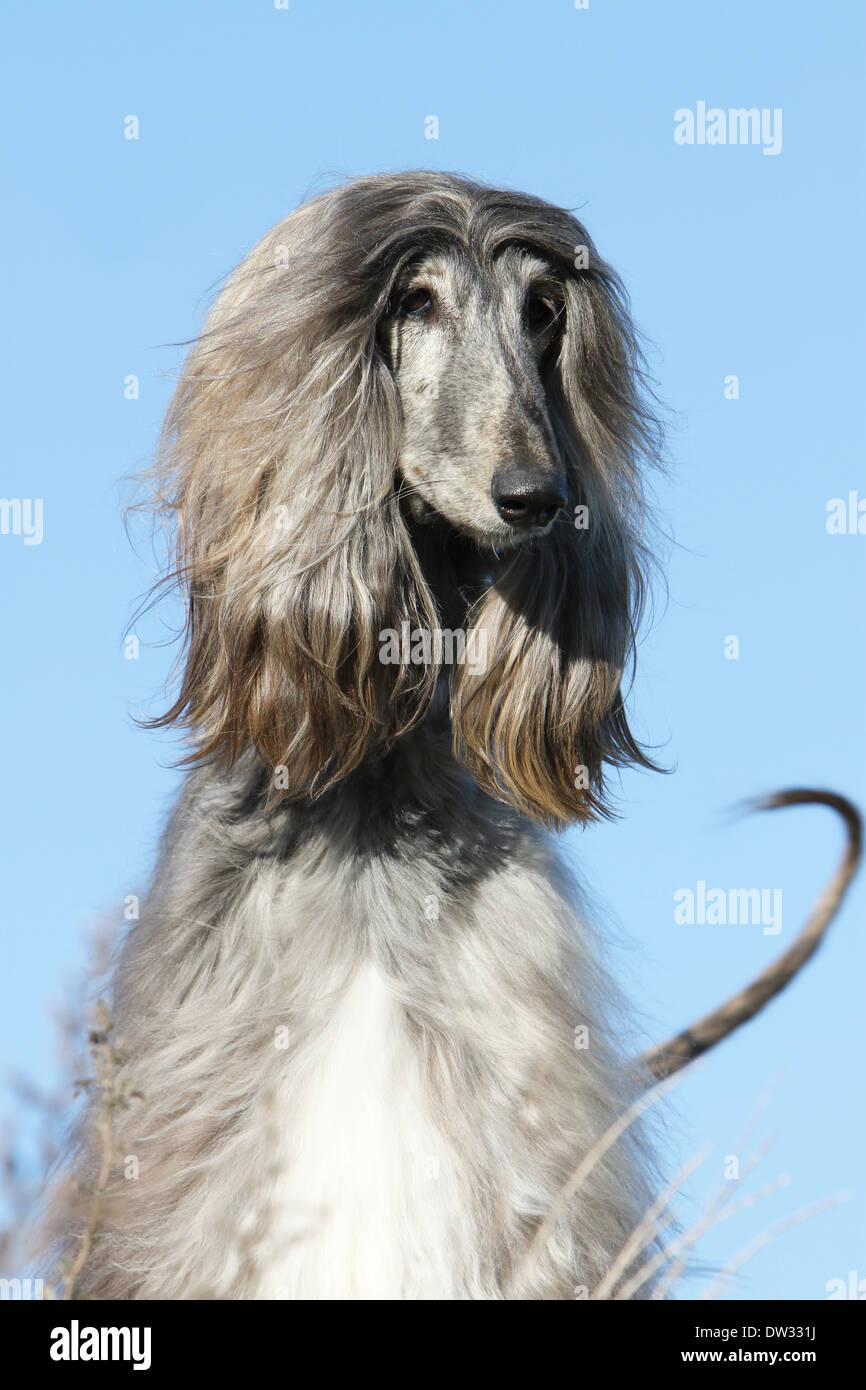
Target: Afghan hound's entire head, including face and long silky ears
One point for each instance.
(416, 401)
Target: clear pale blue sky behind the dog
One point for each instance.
(737, 262)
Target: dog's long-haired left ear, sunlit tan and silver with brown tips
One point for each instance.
(277, 465)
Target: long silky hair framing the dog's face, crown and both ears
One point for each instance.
(279, 461)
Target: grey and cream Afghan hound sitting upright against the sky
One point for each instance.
(368, 1032)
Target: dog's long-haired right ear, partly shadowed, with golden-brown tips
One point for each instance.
(544, 717)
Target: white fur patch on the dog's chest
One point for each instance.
(366, 1204)
